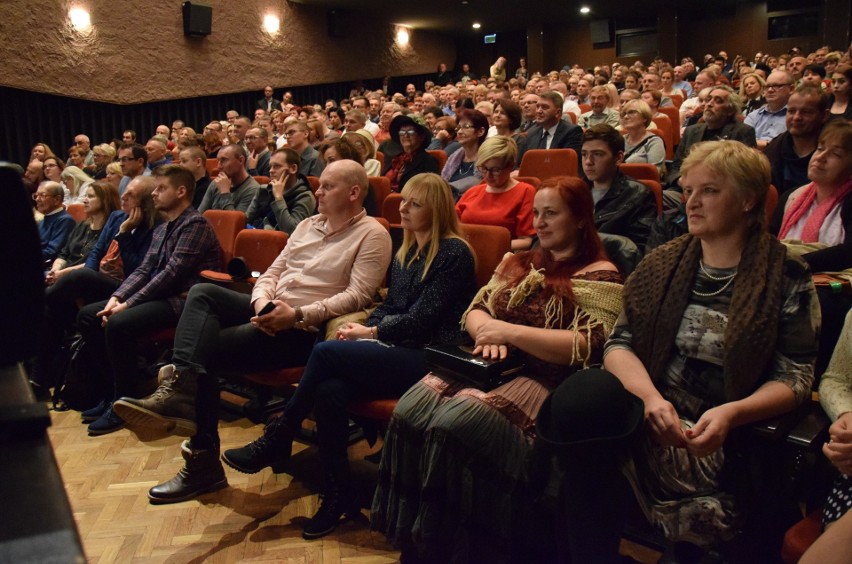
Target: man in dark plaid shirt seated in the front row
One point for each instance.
(152, 296)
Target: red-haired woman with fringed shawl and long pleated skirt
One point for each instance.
(453, 481)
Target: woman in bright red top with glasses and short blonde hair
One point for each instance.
(501, 200)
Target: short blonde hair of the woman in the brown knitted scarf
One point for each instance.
(747, 170)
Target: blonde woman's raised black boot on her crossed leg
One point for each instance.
(273, 449)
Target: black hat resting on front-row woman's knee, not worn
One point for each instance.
(589, 410)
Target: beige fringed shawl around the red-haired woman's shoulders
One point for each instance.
(599, 302)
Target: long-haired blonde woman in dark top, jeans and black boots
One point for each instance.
(432, 283)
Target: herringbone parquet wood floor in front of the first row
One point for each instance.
(256, 519)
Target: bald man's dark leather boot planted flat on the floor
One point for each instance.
(202, 473)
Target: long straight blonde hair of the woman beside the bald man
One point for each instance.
(433, 192)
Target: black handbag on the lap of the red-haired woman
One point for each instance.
(458, 362)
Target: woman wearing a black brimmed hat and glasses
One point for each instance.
(413, 136)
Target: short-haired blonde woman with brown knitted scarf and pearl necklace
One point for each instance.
(718, 331)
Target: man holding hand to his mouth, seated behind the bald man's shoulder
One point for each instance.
(287, 199)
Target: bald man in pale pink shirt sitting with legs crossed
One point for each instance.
(339, 256)
